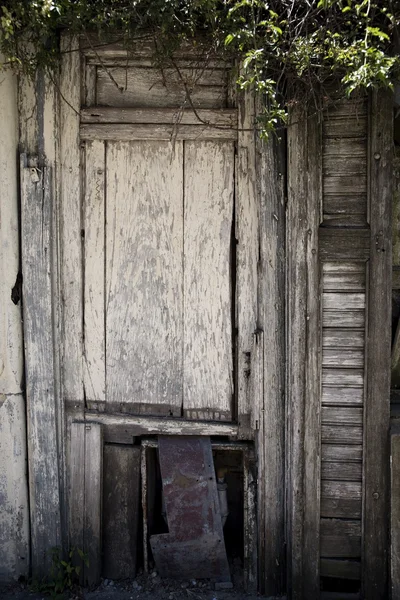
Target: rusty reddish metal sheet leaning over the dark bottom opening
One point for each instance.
(194, 546)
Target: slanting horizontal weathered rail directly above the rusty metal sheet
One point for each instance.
(136, 425)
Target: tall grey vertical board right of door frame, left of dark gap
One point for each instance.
(271, 310)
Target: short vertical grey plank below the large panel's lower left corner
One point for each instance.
(93, 466)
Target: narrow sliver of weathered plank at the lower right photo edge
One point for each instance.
(395, 513)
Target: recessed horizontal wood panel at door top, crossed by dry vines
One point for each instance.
(139, 87)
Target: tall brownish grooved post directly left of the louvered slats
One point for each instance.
(303, 347)
